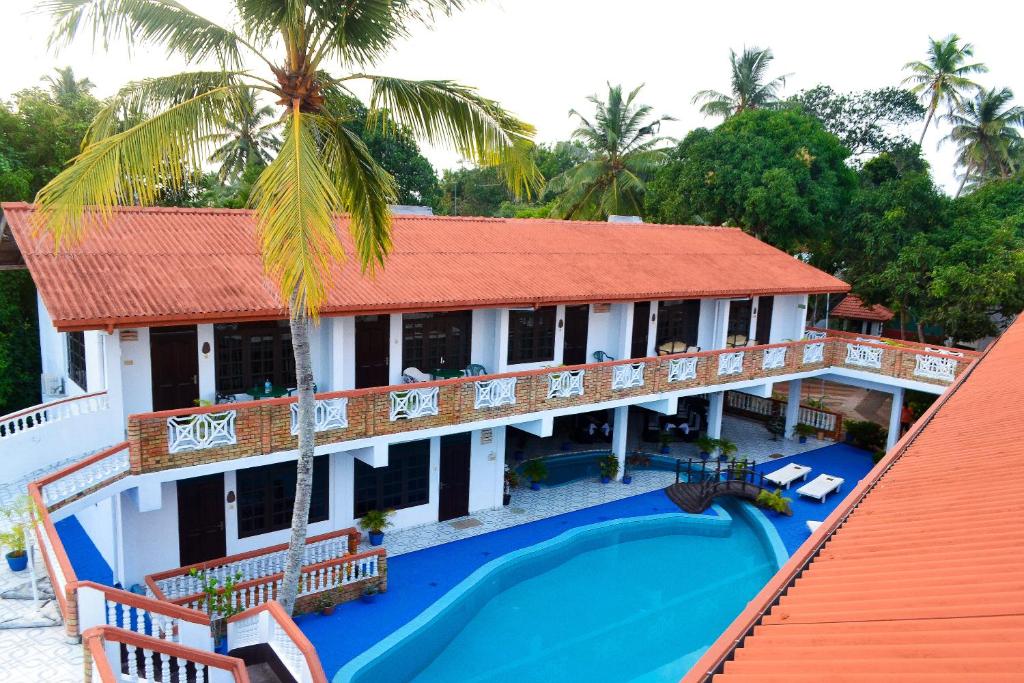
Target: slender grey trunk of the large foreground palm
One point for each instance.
(305, 478)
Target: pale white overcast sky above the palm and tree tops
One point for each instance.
(542, 58)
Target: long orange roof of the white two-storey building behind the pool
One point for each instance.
(176, 266)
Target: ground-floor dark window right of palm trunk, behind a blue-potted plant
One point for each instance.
(404, 484)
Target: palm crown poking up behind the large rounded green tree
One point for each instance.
(750, 91)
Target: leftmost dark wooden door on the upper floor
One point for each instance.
(175, 363)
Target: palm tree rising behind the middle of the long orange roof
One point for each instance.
(622, 155)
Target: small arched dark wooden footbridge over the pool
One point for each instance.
(699, 483)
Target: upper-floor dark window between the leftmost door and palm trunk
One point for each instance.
(250, 354)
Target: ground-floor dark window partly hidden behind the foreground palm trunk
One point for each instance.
(267, 496)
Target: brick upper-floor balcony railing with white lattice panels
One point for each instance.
(193, 437)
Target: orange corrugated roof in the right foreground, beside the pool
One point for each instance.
(921, 571)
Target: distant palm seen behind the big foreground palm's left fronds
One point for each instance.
(249, 138)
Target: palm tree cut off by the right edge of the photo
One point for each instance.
(986, 131)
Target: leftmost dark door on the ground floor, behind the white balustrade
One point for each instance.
(201, 520)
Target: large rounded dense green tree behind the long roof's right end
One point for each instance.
(778, 175)
